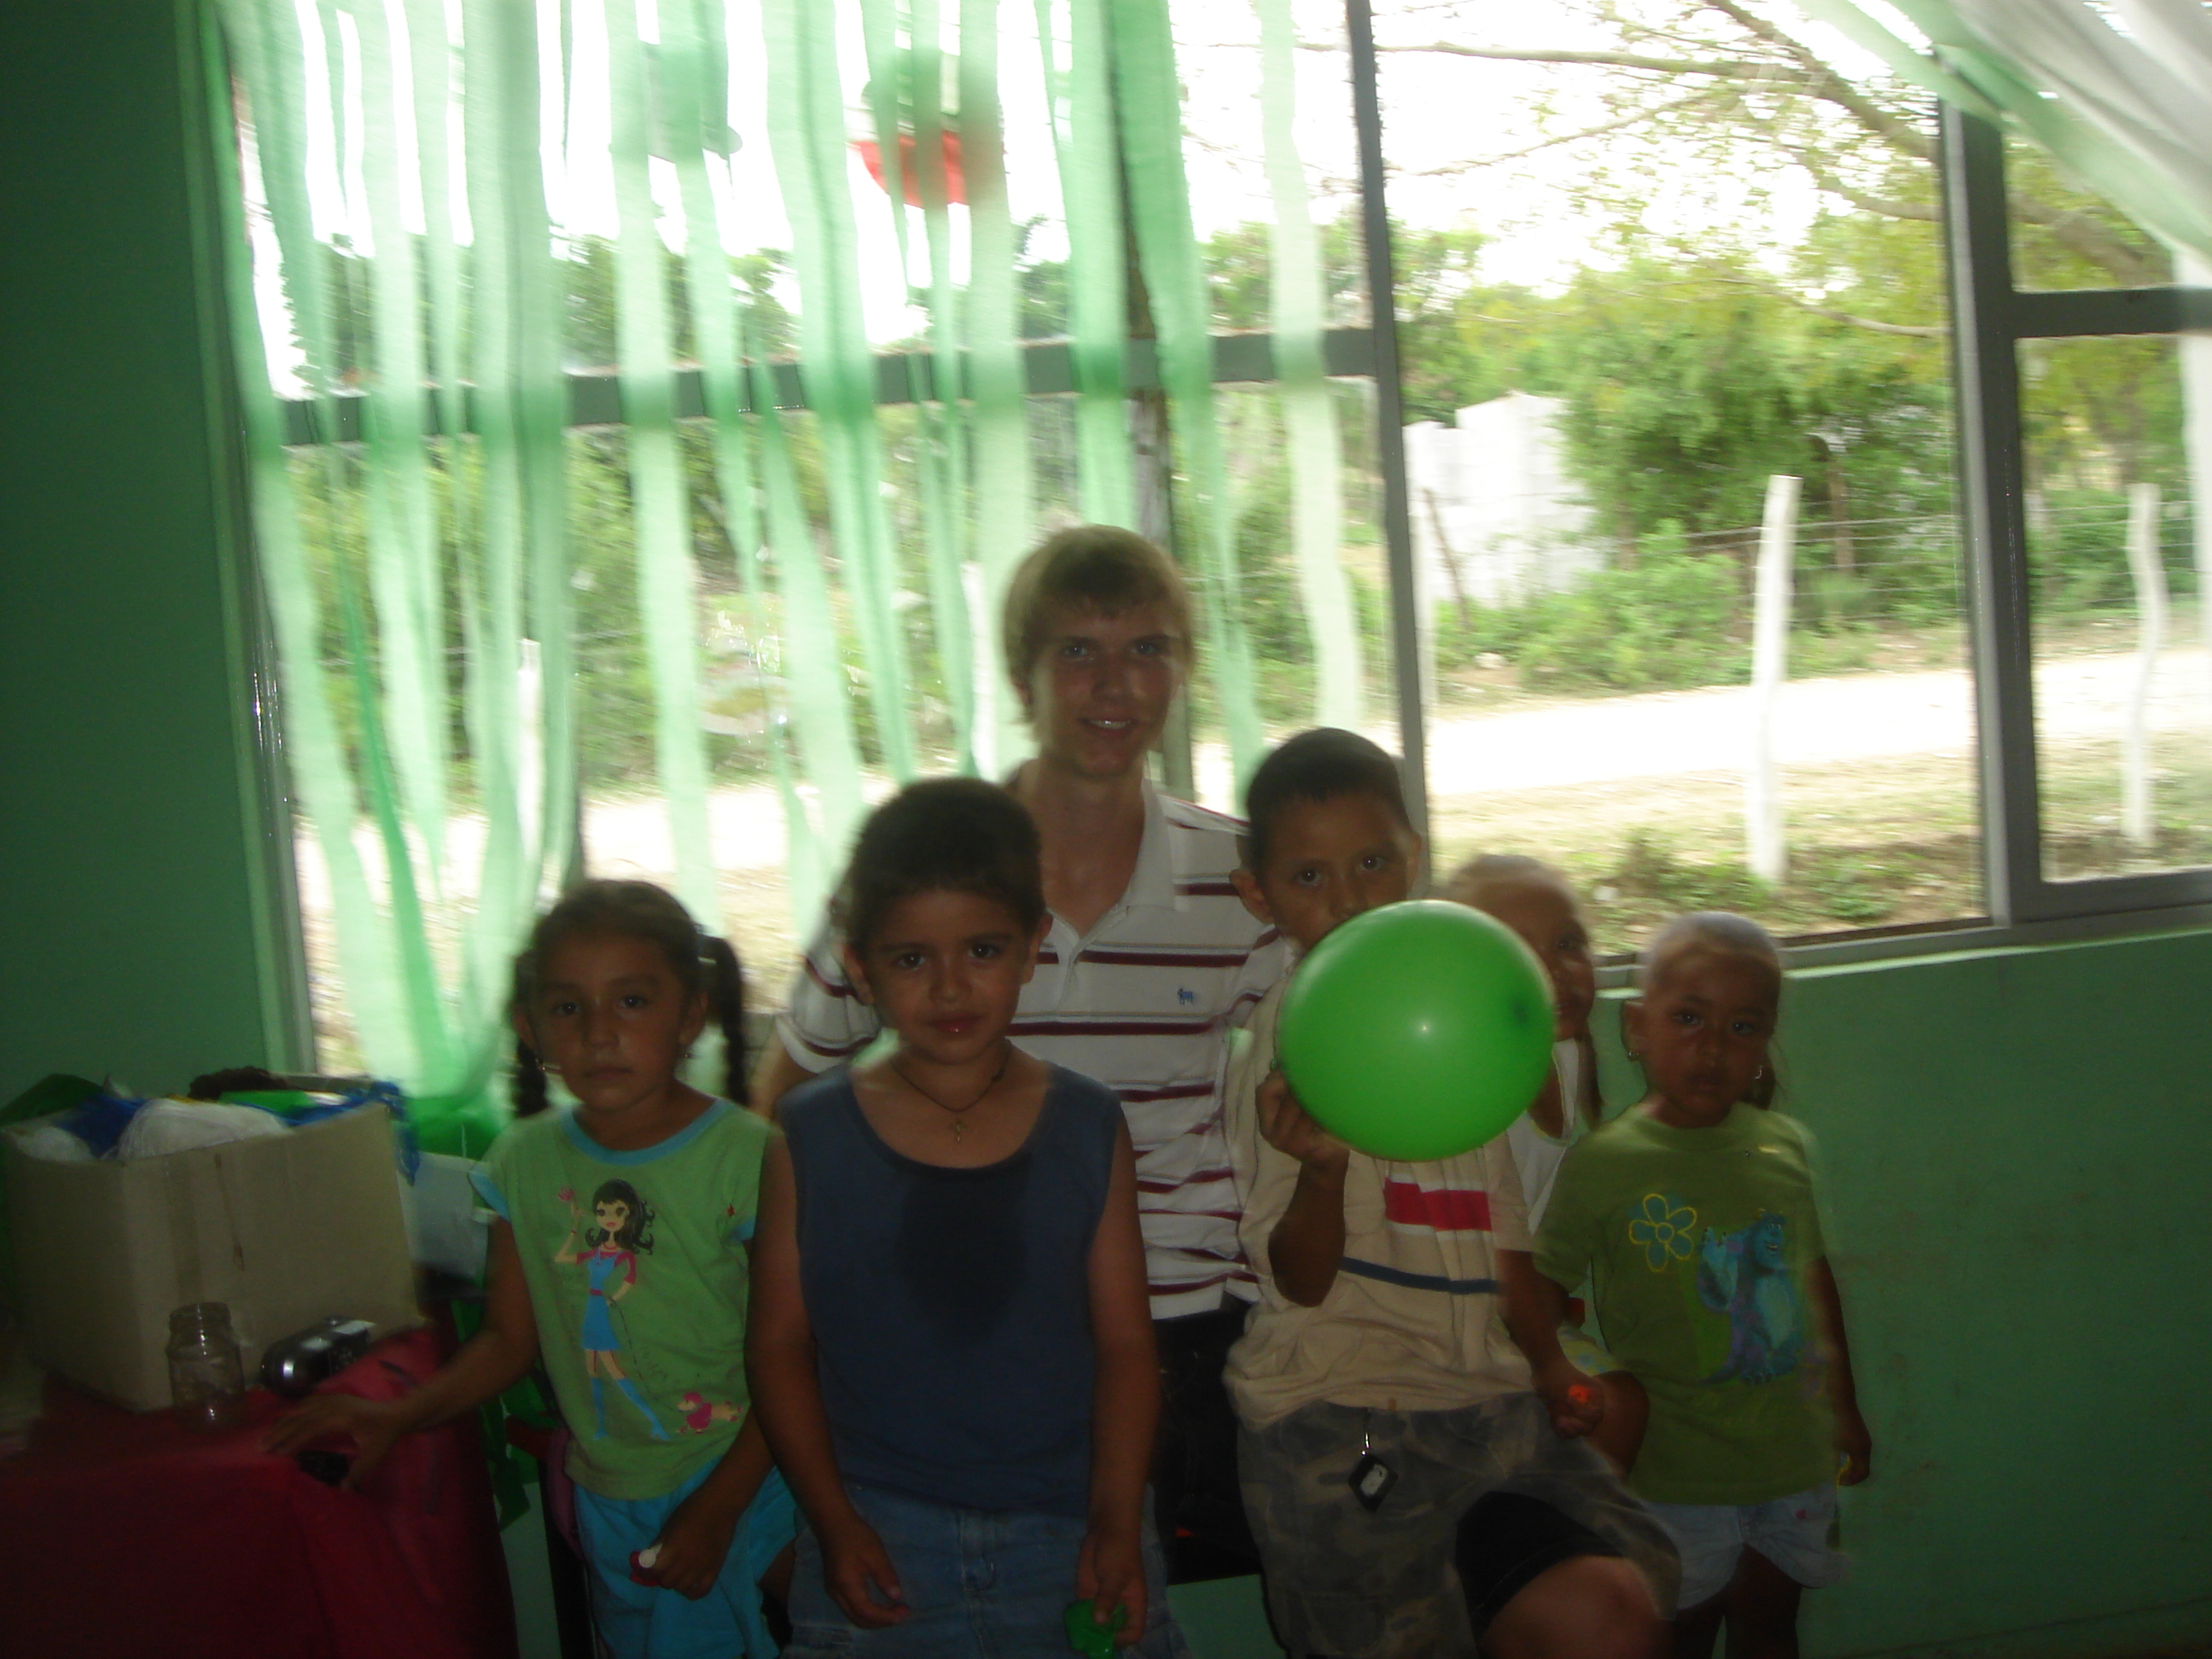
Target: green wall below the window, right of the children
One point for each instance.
(2018, 1151)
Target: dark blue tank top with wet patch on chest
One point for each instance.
(952, 1308)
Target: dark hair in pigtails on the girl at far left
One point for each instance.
(705, 966)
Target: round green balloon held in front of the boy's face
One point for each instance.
(1417, 1032)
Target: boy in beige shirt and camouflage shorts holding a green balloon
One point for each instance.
(1399, 1366)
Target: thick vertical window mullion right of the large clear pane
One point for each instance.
(1990, 468)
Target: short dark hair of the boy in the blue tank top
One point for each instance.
(943, 835)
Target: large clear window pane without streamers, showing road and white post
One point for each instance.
(1629, 300)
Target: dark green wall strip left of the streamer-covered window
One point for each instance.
(132, 919)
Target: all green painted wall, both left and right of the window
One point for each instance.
(2018, 1145)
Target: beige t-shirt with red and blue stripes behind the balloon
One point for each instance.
(1412, 1322)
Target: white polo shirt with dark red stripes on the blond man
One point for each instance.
(1142, 1005)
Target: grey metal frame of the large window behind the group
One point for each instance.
(1990, 317)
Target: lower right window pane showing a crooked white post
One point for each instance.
(2122, 702)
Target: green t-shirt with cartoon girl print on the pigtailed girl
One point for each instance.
(638, 1275)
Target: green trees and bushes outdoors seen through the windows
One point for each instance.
(1691, 368)
